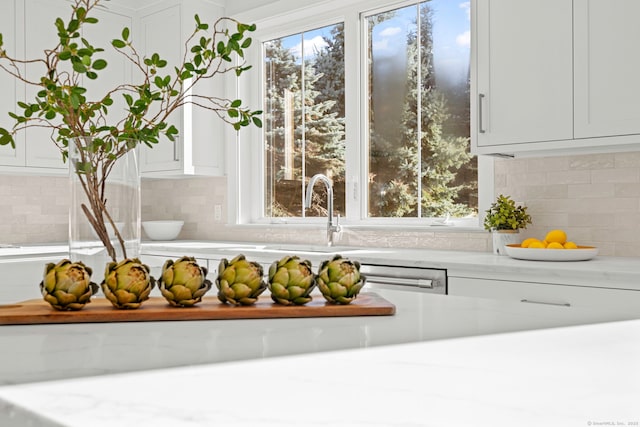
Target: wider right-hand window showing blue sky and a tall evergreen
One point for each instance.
(418, 112)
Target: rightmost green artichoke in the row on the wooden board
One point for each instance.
(339, 280)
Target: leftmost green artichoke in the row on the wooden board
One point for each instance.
(67, 285)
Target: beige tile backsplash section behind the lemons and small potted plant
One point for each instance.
(594, 198)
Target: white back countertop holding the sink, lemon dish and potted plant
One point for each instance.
(614, 272)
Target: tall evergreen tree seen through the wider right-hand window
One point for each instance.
(436, 154)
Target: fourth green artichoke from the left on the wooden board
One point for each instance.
(240, 281)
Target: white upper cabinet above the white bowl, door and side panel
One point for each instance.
(199, 148)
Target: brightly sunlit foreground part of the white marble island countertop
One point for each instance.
(571, 376)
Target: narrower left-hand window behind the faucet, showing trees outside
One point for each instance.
(304, 118)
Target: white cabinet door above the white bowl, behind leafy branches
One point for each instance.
(161, 33)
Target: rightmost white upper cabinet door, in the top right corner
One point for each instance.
(607, 66)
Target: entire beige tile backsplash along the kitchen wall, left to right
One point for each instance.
(595, 198)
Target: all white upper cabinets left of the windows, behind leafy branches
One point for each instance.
(162, 28)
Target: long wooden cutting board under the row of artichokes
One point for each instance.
(100, 310)
